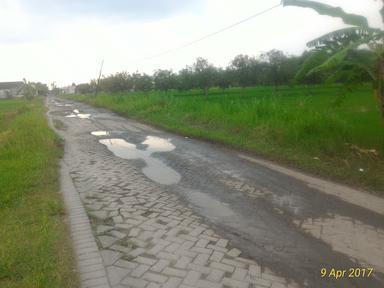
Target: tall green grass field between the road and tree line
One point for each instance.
(317, 129)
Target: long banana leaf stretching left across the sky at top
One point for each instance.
(324, 9)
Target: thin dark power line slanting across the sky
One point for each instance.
(211, 34)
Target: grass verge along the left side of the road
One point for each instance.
(35, 249)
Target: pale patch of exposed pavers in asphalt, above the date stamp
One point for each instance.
(351, 237)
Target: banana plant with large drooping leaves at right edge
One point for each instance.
(341, 46)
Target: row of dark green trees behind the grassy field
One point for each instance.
(271, 68)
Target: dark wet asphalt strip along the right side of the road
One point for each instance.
(260, 210)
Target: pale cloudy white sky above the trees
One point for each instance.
(65, 41)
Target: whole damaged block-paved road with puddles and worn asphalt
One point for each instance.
(205, 216)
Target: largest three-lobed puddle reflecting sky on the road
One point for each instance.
(154, 169)
